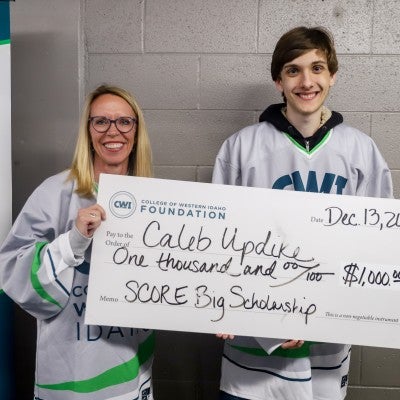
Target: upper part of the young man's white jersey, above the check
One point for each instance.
(346, 161)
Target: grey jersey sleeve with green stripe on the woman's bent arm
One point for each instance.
(36, 259)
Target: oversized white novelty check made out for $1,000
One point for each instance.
(210, 258)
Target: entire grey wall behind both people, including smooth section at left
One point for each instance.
(200, 70)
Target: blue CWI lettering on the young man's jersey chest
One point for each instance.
(331, 183)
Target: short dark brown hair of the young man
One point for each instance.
(300, 40)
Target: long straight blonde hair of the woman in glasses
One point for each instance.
(140, 159)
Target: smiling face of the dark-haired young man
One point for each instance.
(305, 82)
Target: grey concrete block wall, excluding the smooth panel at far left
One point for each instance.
(200, 70)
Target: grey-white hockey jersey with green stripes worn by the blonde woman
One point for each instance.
(39, 272)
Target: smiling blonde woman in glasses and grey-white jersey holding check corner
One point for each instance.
(44, 262)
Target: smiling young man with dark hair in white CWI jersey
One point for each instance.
(298, 145)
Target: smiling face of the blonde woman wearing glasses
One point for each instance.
(112, 148)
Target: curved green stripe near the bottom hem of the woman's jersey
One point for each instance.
(122, 373)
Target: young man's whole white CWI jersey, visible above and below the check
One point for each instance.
(344, 161)
